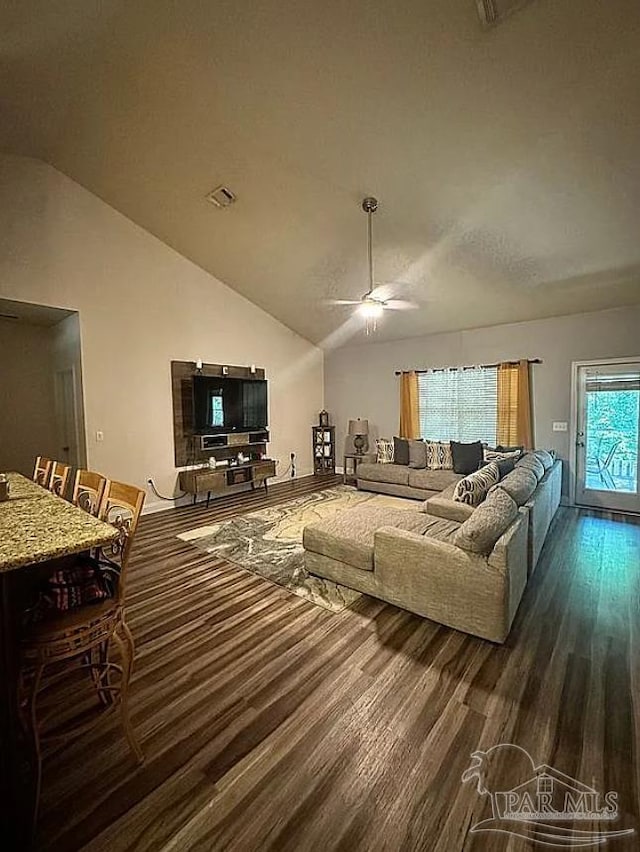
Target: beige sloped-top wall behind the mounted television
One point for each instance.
(141, 305)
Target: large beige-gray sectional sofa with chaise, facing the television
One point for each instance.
(460, 565)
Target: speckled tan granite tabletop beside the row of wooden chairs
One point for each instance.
(45, 527)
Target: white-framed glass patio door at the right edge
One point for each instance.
(607, 435)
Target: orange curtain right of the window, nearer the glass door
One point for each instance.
(515, 427)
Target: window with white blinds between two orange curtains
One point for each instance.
(459, 405)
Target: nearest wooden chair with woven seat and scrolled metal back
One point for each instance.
(84, 636)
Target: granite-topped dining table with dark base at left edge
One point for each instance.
(37, 528)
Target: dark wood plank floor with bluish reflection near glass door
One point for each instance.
(271, 724)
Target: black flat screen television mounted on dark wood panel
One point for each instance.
(224, 404)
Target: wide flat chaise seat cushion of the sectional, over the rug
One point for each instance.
(348, 536)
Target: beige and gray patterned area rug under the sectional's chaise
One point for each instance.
(269, 542)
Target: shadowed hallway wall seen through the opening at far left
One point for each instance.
(27, 421)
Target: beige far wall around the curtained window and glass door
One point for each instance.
(360, 380)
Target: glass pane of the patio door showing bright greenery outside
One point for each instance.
(612, 440)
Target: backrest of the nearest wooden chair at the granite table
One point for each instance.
(121, 507)
